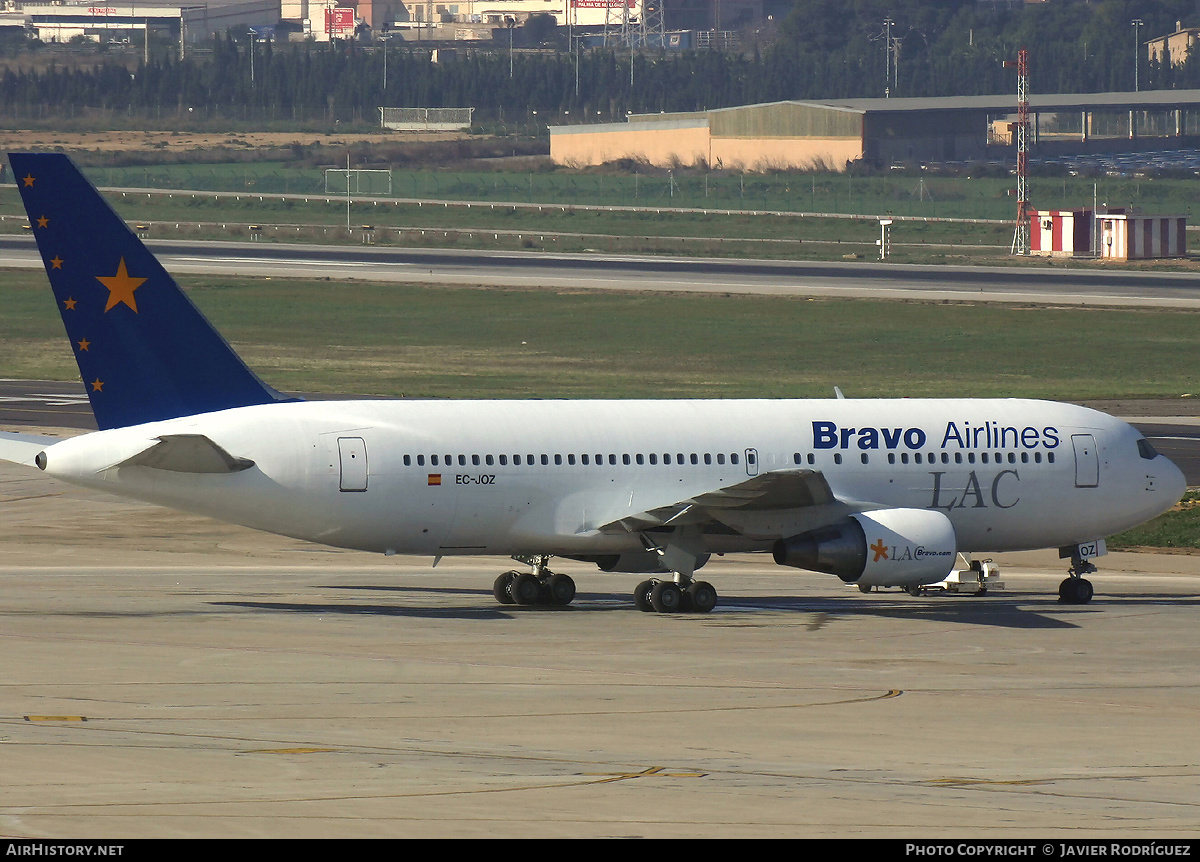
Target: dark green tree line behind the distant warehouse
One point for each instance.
(823, 50)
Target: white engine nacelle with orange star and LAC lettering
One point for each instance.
(889, 548)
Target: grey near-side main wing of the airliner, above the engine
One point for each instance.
(785, 489)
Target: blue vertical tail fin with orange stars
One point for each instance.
(145, 351)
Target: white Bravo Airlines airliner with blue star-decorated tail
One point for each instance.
(878, 493)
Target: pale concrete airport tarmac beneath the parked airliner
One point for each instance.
(169, 677)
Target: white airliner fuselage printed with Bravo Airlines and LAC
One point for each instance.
(544, 477)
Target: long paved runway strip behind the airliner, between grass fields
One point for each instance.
(598, 272)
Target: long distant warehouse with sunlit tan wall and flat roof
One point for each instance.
(831, 135)
